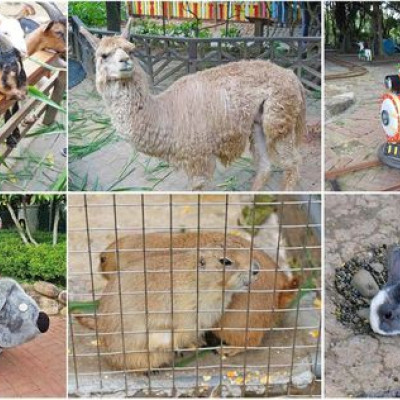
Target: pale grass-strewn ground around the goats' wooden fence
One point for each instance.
(37, 161)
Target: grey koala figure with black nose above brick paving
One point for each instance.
(20, 317)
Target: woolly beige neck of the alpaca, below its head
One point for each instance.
(134, 112)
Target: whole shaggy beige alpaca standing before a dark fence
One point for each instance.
(206, 116)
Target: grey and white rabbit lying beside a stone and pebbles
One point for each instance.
(385, 306)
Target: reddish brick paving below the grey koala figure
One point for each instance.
(38, 368)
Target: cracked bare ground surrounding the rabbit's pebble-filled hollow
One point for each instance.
(358, 365)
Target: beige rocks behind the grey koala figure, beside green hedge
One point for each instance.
(50, 299)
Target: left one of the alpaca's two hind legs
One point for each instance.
(259, 150)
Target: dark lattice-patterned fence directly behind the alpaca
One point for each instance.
(168, 58)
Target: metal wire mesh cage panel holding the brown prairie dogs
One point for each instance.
(161, 302)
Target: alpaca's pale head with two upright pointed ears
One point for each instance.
(114, 56)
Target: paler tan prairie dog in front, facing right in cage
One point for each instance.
(152, 327)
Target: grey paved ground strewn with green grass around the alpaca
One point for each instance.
(116, 164)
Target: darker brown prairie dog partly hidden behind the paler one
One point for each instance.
(130, 248)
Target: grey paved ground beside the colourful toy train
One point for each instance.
(355, 135)
